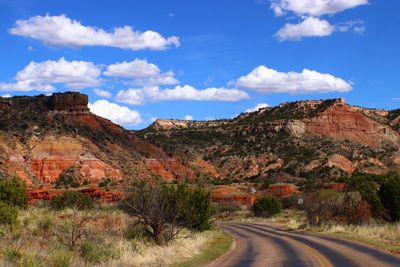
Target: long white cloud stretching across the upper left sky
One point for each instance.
(62, 31)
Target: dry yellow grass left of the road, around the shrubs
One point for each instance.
(33, 242)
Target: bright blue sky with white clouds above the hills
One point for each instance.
(201, 60)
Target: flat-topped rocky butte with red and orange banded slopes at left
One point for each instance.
(45, 137)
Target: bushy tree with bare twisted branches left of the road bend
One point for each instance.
(164, 210)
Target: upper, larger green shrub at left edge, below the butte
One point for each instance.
(13, 192)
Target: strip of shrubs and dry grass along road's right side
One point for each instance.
(367, 209)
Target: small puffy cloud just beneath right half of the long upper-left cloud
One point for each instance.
(142, 73)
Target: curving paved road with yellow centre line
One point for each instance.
(268, 245)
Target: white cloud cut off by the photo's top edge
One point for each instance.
(313, 7)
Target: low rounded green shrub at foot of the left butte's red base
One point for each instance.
(71, 199)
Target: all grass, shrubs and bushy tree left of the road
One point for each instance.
(75, 230)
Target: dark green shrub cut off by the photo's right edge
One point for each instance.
(390, 195)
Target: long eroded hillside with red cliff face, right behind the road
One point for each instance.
(286, 143)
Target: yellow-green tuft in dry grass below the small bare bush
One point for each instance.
(95, 254)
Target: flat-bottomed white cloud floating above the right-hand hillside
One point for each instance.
(265, 80)
